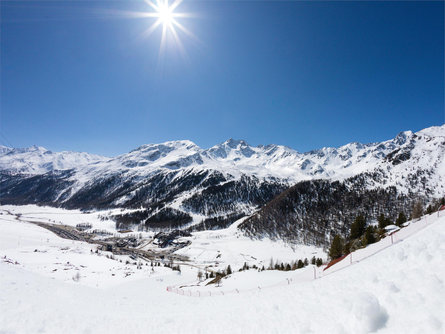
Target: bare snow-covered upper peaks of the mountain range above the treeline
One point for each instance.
(236, 157)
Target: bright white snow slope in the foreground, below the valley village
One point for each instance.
(400, 289)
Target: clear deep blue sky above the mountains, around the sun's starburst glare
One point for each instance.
(77, 76)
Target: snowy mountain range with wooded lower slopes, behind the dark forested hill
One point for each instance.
(178, 184)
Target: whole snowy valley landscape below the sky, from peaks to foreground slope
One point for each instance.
(232, 239)
